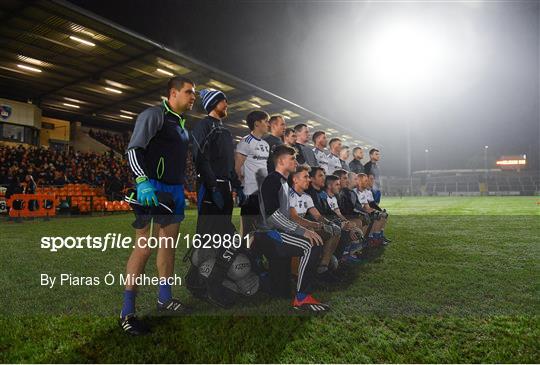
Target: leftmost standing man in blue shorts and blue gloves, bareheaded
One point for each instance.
(157, 154)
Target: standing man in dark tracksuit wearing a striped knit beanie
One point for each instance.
(213, 154)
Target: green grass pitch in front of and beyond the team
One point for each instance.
(460, 283)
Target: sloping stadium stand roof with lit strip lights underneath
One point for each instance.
(79, 66)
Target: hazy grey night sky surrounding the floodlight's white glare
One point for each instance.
(309, 52)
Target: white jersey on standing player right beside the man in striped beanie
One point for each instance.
(256, 151)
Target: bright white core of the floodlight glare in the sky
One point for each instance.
(405, 54)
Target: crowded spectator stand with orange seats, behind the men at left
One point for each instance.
(81, 181)
